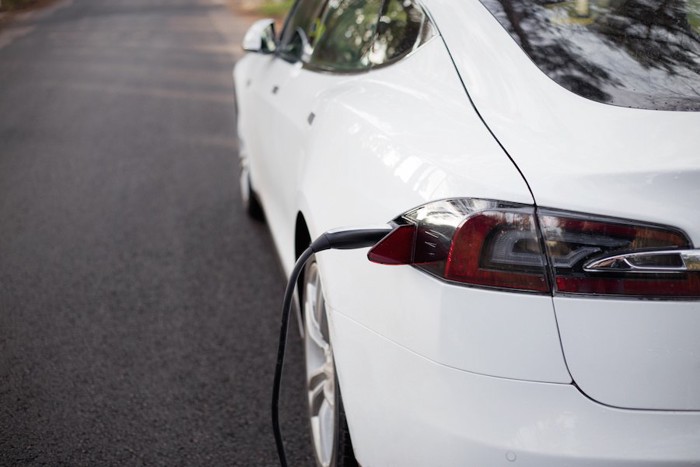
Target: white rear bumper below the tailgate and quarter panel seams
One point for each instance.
(408, 411)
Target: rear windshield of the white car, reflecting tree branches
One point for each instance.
(633, 53)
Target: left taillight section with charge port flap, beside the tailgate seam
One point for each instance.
(475, 242)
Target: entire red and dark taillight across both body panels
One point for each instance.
(510, 246)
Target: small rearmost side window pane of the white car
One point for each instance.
(401, 25)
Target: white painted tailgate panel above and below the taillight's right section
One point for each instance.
(579, 155)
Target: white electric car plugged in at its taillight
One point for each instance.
(538, 301)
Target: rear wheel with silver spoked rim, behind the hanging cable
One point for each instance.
(329, 431)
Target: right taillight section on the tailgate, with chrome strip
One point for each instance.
(612, 257)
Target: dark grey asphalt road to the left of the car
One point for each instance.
(138, 305)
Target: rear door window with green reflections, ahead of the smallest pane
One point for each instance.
(345, 34)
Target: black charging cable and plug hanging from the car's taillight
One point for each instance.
(336, 240)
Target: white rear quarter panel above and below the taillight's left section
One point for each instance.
(373, 154)
